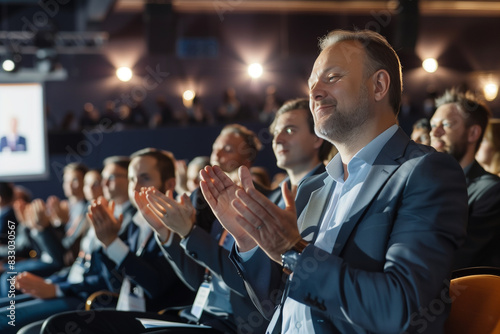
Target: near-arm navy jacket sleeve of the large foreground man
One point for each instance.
(415, 223)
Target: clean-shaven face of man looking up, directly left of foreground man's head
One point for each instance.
(293, 143)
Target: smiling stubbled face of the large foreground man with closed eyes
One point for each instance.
(338, 92)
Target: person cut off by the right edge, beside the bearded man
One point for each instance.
(488, 154)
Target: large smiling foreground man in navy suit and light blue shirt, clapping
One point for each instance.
(387, 215)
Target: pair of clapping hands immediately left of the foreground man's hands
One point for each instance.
(164, 213)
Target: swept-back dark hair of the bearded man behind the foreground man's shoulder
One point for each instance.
(472, 109)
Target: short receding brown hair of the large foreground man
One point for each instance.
(381, 55)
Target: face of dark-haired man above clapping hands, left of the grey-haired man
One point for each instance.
(143, 172)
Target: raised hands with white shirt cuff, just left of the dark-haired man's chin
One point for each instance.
(106, 225)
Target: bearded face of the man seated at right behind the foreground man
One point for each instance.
(449, 131)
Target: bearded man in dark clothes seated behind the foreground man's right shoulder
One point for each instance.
(458, 126)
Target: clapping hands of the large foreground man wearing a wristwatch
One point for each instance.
(250, 216)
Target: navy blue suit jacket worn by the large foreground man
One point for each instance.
(393, 254)
